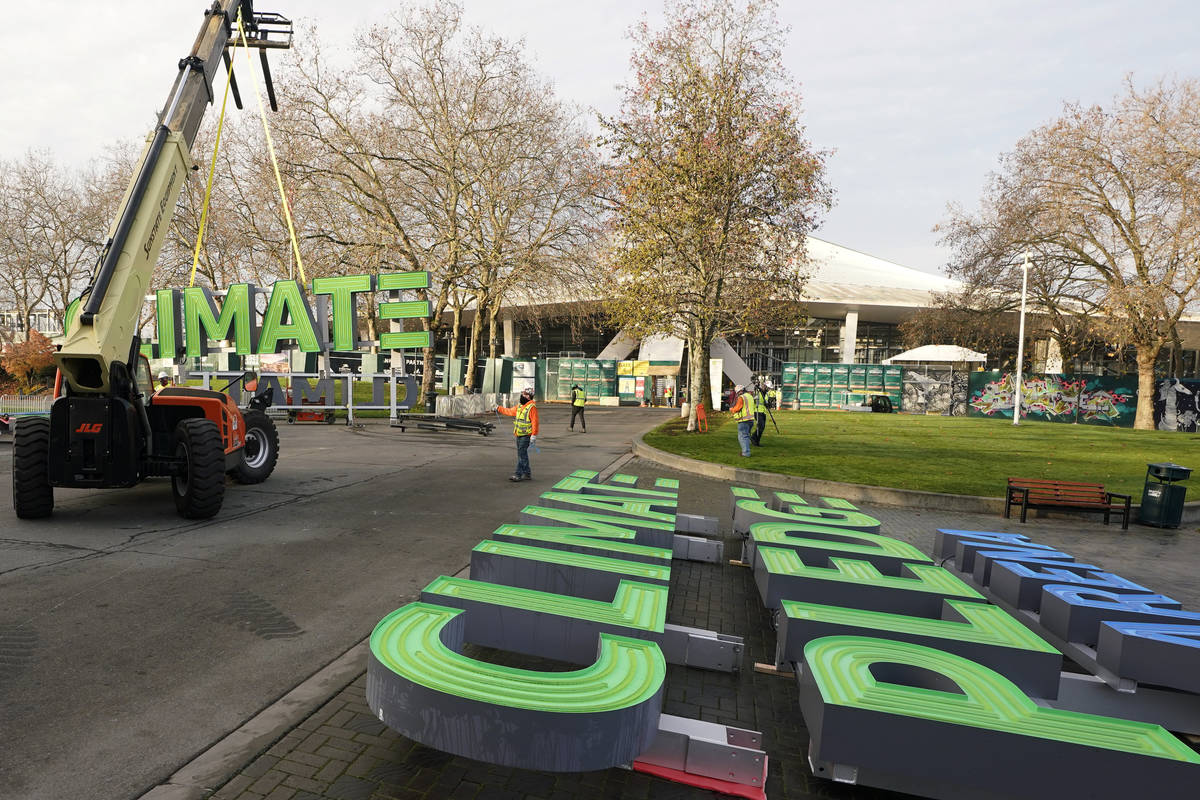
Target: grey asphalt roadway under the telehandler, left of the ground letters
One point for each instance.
(133, 640)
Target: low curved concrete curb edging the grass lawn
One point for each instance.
(855, 492)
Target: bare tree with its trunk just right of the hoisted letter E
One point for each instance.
(388, 141)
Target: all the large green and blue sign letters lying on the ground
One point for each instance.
(910, 678)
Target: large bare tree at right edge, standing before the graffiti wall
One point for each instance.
(1106, 201)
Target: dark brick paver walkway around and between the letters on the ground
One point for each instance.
(344, 753)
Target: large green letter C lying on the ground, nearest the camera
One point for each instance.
(602, 715)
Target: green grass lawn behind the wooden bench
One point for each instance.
(939, 454)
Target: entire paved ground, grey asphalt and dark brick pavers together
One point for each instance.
(143, 655)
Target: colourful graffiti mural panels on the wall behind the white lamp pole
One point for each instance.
(1090, 400)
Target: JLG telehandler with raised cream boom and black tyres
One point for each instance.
(107, 429)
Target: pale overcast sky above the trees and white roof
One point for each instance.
(916, 98)
